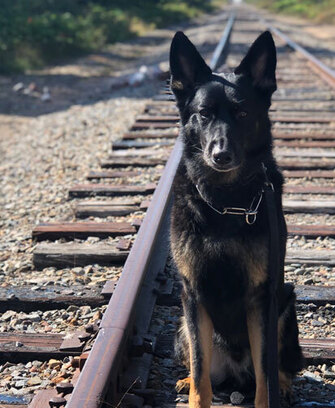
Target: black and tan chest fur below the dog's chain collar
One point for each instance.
(210, 246)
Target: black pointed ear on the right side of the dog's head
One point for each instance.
(260, 63)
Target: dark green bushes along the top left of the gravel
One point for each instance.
(36, 32)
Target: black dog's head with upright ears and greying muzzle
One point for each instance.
(224, 117)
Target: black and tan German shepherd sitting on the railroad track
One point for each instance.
(222, 257)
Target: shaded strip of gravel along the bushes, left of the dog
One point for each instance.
(88, 80)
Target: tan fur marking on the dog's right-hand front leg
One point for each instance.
(256, 340)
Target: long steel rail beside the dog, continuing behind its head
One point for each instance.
(99, 375)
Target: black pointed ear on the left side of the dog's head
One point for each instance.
(188, 69)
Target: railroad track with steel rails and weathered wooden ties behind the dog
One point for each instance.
(109, 357)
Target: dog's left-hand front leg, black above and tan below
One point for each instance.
(200, 339)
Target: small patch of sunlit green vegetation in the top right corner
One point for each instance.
(317, 10)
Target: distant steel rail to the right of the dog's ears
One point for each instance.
(318, 66)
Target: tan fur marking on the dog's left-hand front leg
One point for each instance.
(201, 392)
